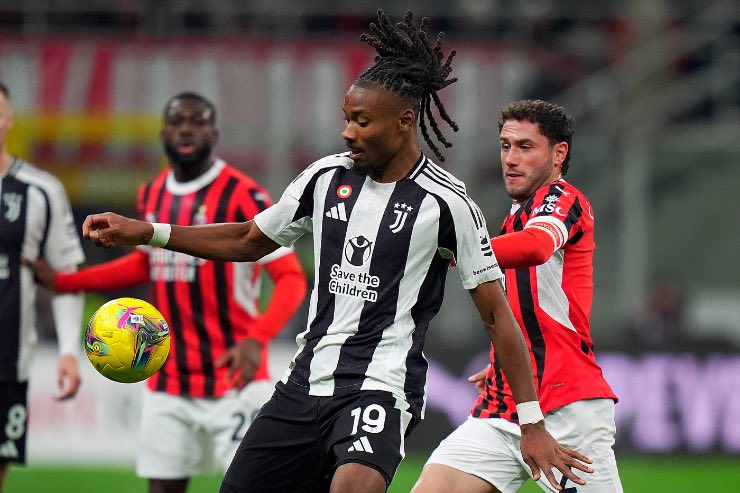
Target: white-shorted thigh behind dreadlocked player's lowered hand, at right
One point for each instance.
(588, 427)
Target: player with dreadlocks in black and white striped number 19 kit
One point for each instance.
(386, 223)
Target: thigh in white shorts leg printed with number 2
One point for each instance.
(233, 415)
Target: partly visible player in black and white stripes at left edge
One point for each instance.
(35, 220)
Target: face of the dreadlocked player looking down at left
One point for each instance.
(372, 128)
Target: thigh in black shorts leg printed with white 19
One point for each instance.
(368, 427)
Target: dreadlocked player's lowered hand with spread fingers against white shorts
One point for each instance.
(542, 453)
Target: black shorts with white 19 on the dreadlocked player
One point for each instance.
(297, 441)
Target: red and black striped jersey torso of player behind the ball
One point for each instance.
(209, 305)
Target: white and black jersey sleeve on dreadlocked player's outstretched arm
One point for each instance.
(291, 217)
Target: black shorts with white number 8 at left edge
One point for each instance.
(13, 421)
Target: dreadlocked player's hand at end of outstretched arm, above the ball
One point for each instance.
(110, 230)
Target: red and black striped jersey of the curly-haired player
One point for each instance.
(552, 304)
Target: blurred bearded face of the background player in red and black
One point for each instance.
(188, 133)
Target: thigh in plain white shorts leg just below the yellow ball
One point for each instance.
(170, 444)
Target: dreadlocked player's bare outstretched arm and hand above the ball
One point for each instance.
(231, 242)
